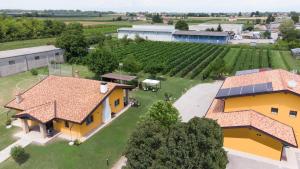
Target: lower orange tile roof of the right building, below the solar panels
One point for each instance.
(251, 118)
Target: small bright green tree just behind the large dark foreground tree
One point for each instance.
(164, 113)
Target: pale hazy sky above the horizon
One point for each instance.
(157, 5)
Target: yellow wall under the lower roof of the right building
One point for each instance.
(252, 141)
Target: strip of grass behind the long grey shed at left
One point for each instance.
(26, 43)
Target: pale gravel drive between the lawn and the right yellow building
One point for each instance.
(196, 101)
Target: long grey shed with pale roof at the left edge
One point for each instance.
(20, 60)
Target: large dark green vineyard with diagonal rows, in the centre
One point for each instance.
(190, 60)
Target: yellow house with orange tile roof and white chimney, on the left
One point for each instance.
(73, 106)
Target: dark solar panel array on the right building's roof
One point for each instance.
(245, 90)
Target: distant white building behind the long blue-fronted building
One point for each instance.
(235, 28)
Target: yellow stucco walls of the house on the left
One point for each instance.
(79, 130)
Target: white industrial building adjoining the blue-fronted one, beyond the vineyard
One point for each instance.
(149, 32)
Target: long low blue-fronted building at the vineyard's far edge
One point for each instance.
(201, 37)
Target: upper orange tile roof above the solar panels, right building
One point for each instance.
(279, 79)
